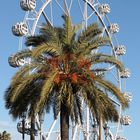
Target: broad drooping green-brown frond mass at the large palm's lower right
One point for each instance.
(100, 104)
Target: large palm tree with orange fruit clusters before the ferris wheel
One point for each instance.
(60, 75)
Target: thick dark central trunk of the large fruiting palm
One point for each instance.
(64, 122)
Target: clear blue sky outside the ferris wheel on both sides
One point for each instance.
(126, 13)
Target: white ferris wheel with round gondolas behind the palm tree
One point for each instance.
(84, 12)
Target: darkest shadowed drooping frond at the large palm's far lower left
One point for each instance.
(24, 100)
